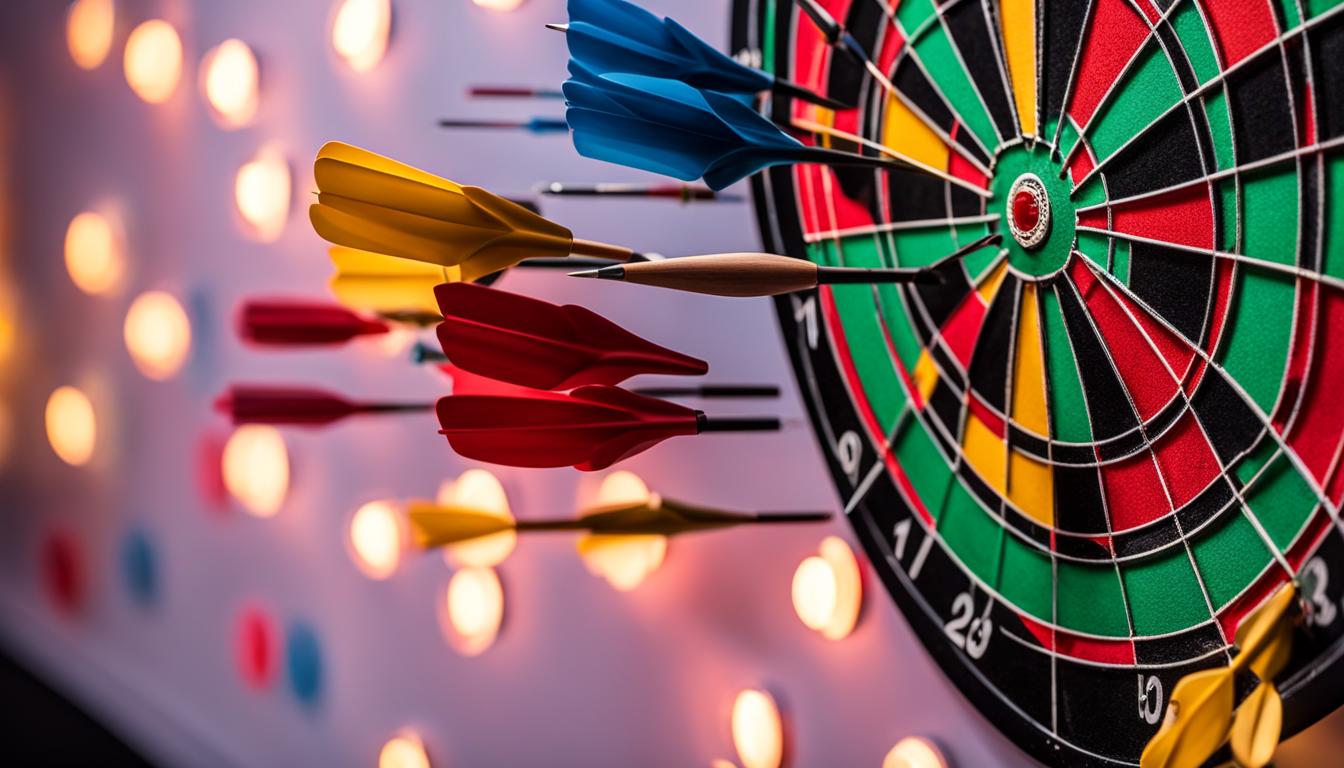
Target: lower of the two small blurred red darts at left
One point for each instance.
(299, 407)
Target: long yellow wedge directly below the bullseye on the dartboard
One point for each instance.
(1030, 481)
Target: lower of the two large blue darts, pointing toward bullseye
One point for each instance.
(669, 127)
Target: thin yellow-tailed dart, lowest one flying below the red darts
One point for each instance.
(440, 525)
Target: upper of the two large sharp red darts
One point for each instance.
(545, 346)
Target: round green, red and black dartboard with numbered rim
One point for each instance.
(1101, 442)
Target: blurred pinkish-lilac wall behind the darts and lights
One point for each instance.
(209, 637)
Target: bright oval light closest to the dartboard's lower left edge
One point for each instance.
(827, 591)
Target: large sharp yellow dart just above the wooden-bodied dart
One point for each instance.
(373, 204)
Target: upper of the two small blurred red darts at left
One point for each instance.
(284, 323)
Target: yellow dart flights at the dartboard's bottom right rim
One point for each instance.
(1201, 714)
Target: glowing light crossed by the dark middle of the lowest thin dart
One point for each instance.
(624, 562)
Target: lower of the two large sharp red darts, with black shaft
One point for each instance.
(589, 428)
